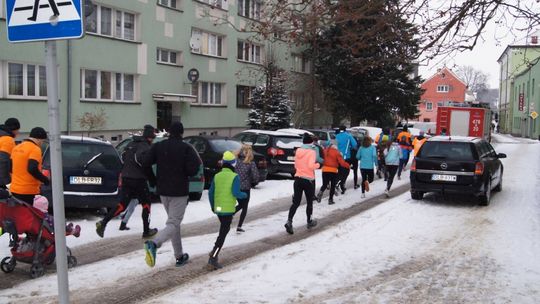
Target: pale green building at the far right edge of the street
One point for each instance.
(517, 63)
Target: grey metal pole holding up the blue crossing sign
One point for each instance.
(55, 147)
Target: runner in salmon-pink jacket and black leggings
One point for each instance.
(305, 163)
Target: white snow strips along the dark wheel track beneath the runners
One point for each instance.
(109, 271)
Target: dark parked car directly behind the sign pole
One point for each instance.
(91, 170)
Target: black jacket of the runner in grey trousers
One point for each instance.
(175, 161)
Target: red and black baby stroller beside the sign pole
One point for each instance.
(37, 246)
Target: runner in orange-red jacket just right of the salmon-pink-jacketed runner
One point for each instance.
(332, 161)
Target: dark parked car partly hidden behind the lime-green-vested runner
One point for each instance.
(211, 148)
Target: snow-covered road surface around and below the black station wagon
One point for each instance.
(403, 251)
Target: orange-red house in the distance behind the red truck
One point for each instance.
(442, 89)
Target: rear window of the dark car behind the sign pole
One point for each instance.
(77, 155)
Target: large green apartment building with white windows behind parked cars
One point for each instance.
(133, 63)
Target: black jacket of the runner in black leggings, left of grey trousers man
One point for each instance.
(133, 157)
